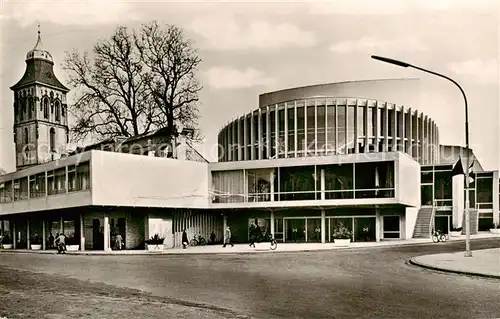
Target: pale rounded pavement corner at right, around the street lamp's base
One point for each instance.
(485, 263)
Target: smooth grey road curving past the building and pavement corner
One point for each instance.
(361, 283)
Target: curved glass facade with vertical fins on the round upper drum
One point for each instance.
(329, 126)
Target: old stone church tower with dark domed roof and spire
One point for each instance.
(40, 111)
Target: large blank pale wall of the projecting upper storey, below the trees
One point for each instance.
(131, 180)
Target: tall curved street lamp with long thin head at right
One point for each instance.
(468, 252)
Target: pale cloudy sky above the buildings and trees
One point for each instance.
(250, 48)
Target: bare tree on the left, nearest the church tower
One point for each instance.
(112, 96)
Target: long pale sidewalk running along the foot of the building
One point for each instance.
(259, 248)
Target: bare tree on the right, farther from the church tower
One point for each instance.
(172, 63)
